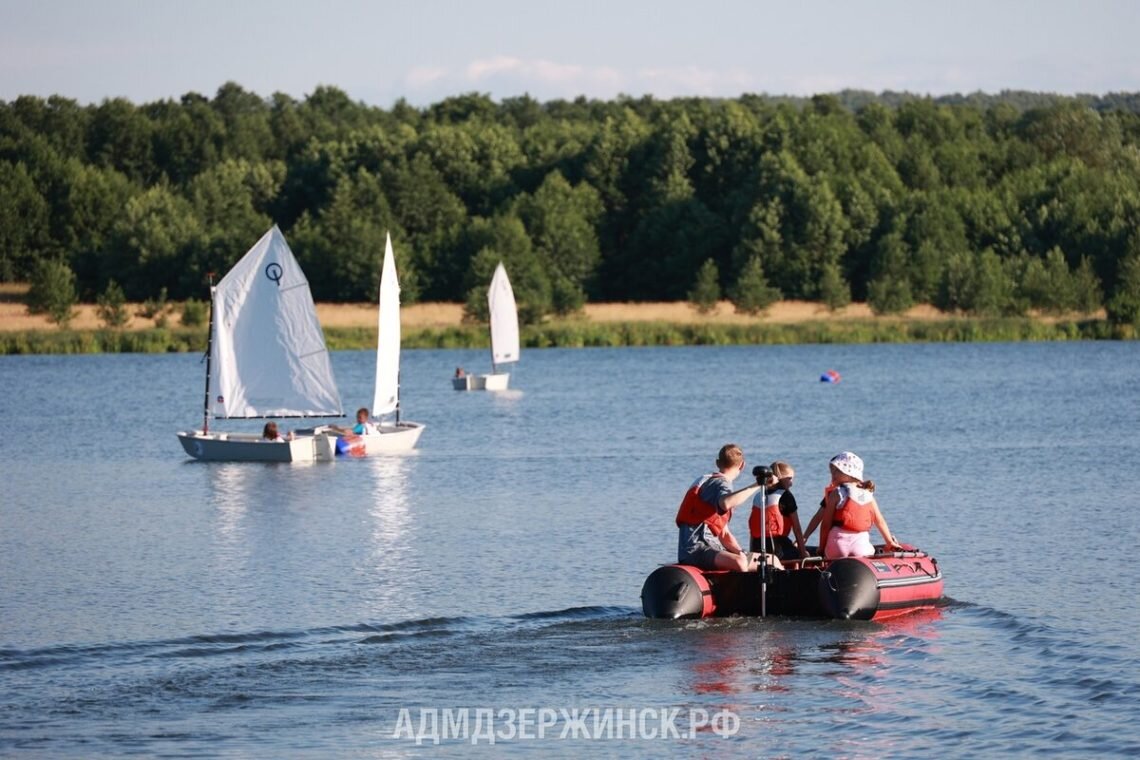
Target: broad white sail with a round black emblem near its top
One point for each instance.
(268, 353)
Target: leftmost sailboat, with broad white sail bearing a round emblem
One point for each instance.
(266, 359)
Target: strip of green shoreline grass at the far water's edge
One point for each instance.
(579, 336)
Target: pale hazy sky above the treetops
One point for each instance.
(426, 51)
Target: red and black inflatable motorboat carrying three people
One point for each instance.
(878, 587)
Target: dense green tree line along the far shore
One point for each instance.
(980, 205)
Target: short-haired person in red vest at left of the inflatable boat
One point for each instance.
(705, 541)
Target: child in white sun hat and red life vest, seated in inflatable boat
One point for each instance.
(850, 510)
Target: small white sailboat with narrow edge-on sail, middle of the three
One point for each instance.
(389, 436)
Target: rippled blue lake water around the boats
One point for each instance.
(156, 606)
